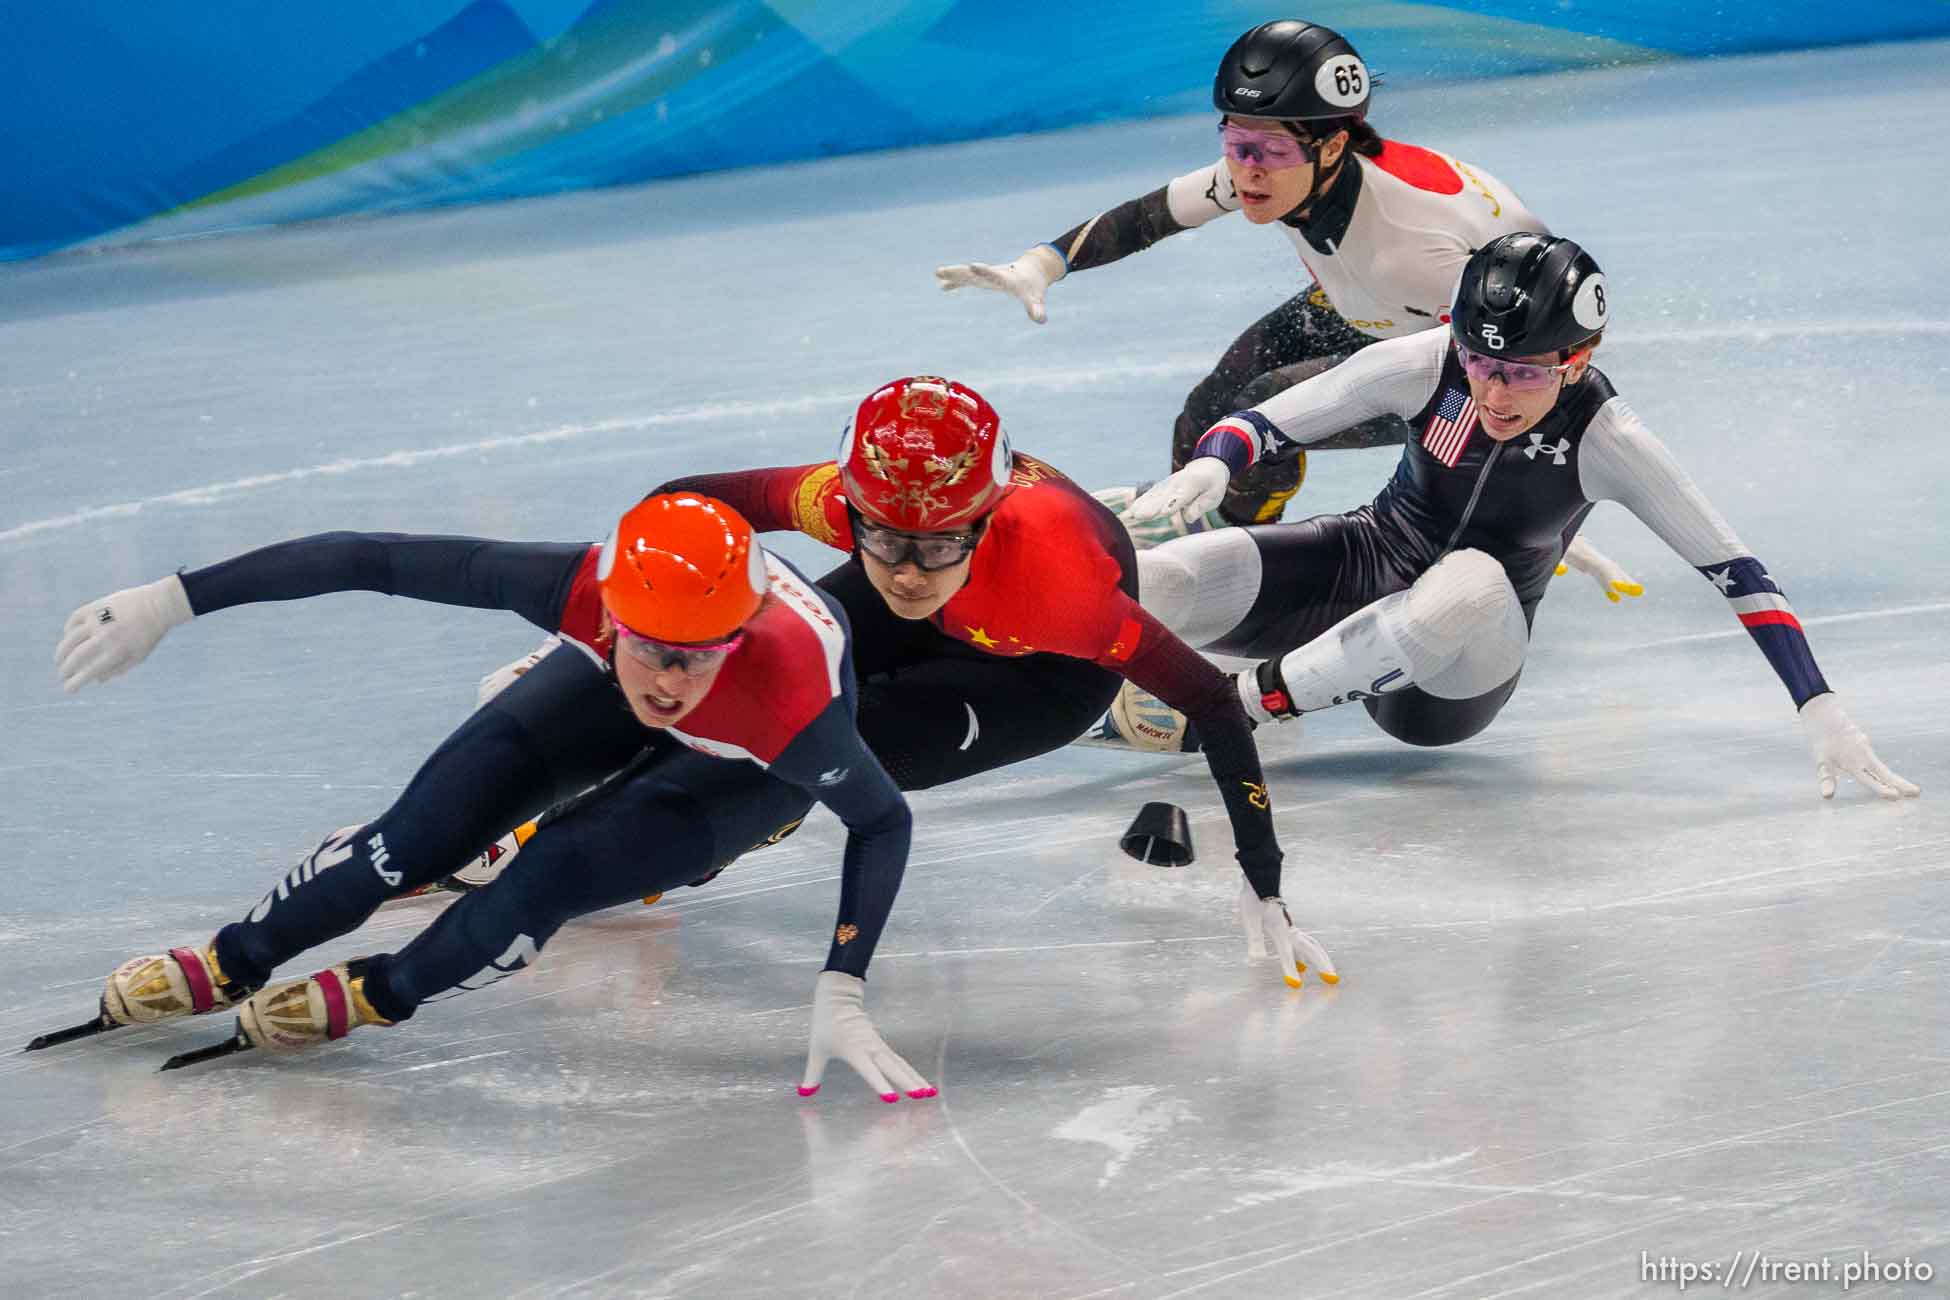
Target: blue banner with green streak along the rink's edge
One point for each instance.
(165, 120)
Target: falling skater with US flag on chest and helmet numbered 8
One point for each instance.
(1421, 603)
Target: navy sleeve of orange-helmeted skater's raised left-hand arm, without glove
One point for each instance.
(529, 578)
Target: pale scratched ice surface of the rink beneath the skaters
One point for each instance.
(1616, 979)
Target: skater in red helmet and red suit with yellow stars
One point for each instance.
(995, 611)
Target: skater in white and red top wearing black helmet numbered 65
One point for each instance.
(1382, 231)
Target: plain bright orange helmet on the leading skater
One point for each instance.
(682, 568)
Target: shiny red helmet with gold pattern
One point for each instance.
(925, 455)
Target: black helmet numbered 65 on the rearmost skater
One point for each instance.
(1292, 71)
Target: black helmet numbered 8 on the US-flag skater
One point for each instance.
(1524, 295)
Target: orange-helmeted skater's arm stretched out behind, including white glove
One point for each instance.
(116, 632)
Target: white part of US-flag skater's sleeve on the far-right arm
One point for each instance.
(1621, 461)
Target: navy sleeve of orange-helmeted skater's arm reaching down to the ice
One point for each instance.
(834, 763)
